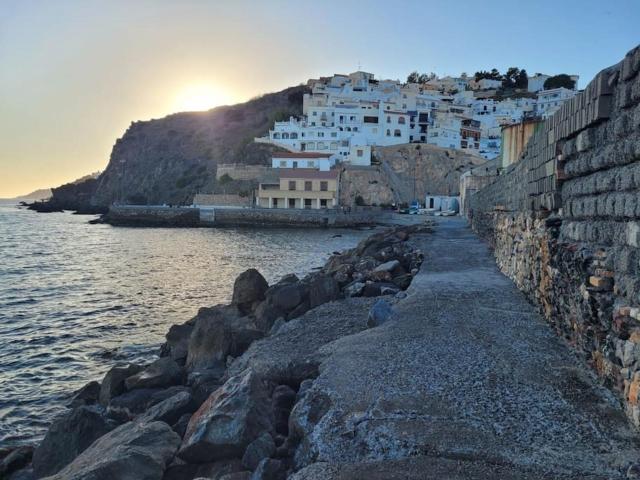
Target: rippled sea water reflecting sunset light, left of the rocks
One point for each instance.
(76, 298)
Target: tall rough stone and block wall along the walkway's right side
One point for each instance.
(565, 224)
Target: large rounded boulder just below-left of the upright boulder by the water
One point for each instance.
(219, 333)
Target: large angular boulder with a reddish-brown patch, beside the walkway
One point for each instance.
(231, 418)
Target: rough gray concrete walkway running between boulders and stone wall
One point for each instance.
(466, 382)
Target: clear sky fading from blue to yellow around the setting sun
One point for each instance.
(75, 74)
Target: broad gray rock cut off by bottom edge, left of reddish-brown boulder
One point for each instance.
(133, 451)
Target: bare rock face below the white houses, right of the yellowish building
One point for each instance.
(406, 172)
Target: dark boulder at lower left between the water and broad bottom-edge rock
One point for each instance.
(68, 436)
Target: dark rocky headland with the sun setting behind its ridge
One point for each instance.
(168, 160)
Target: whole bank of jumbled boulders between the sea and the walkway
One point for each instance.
(227, 399)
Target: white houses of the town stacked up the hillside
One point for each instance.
(346, 115)
